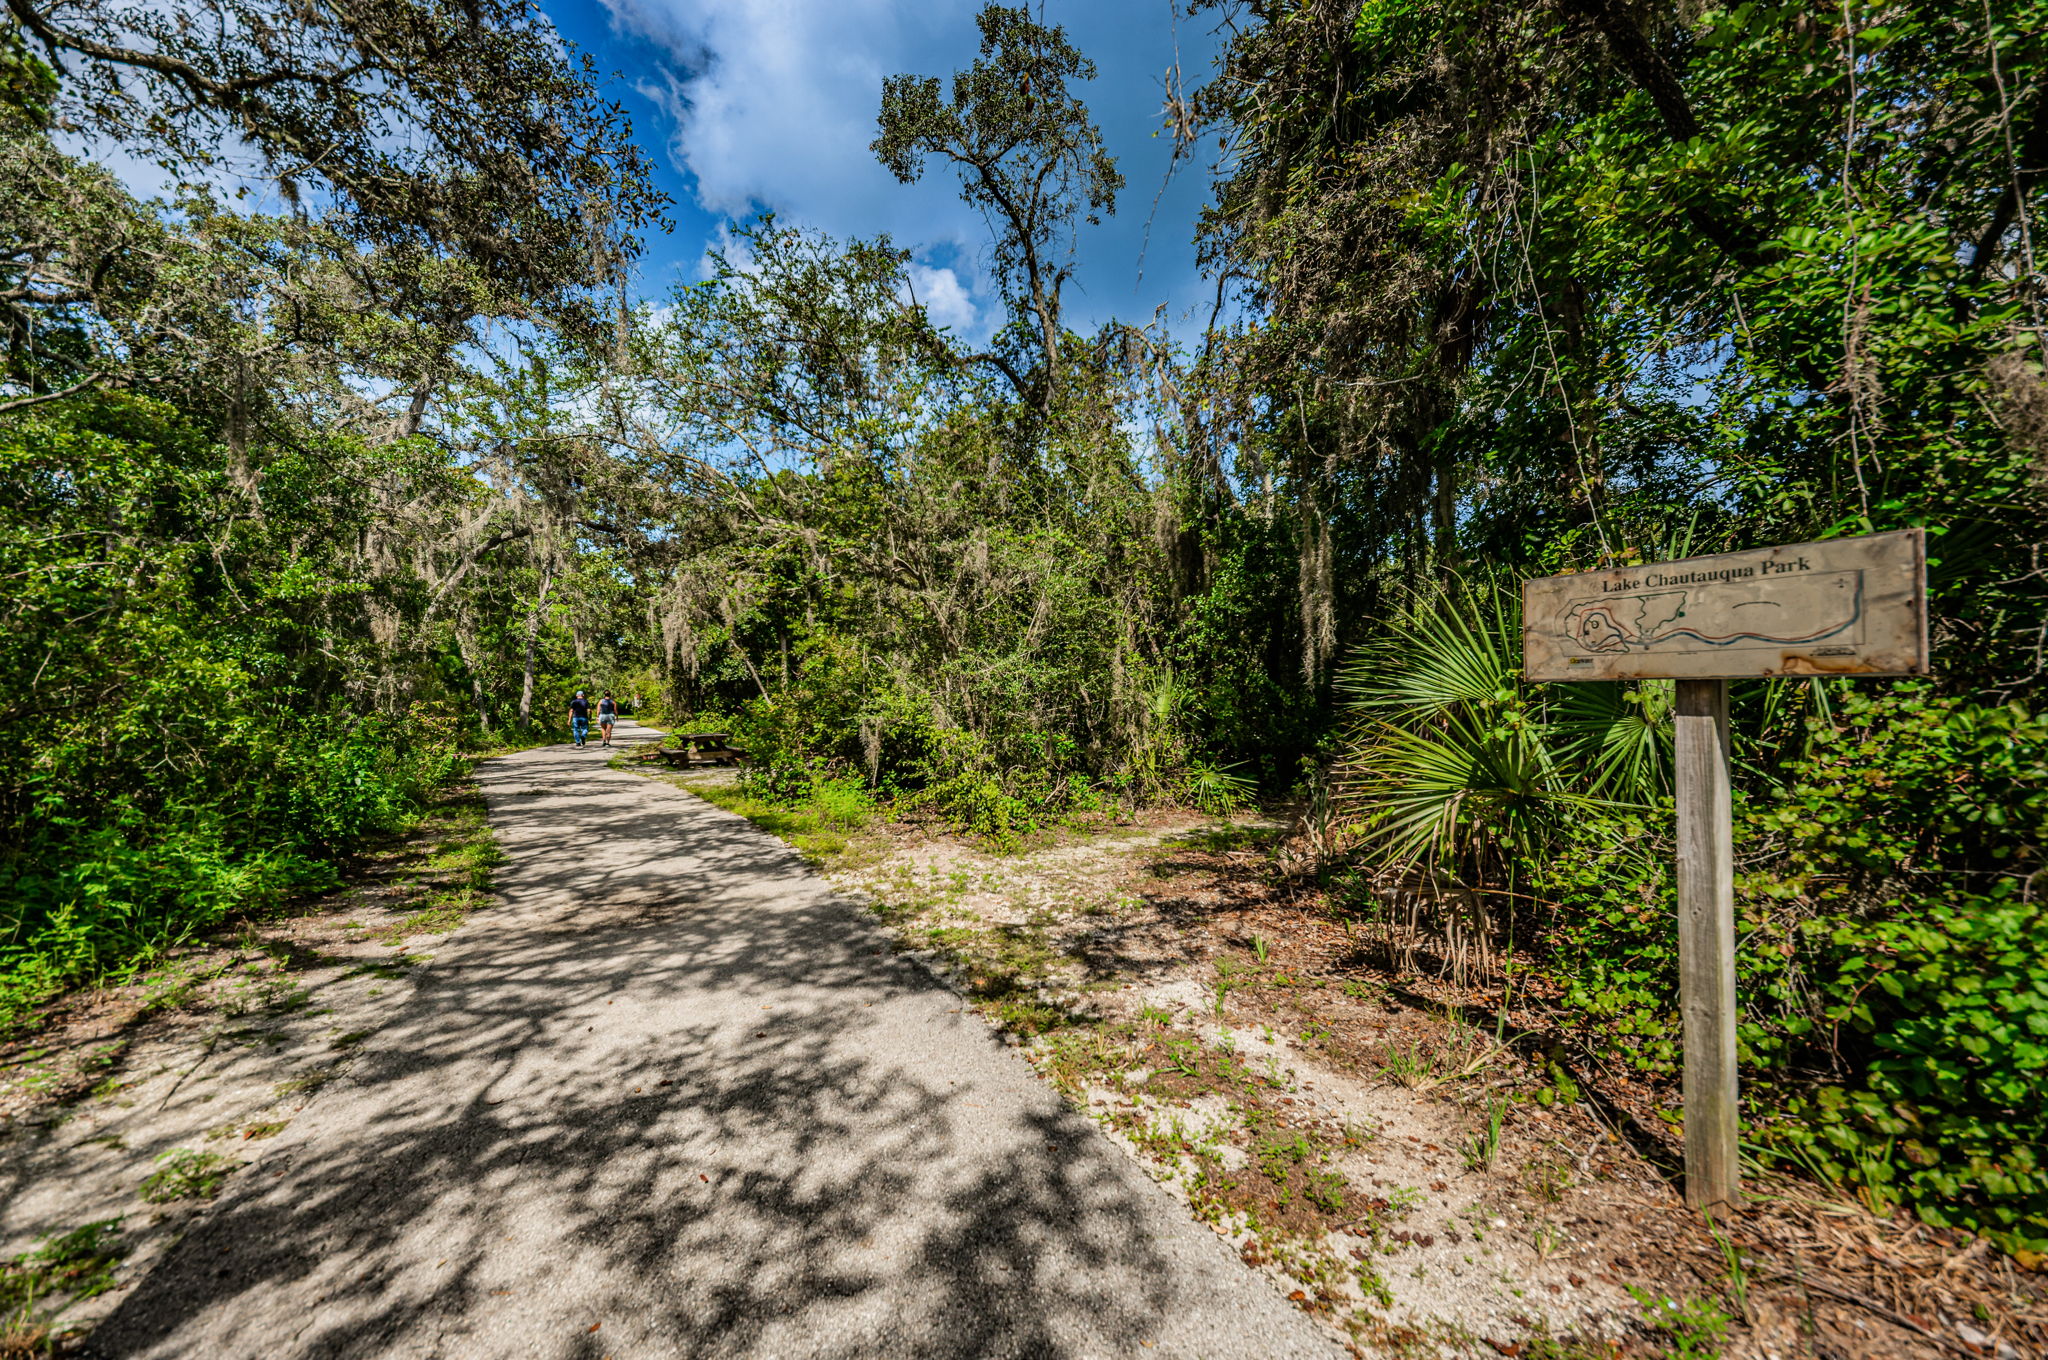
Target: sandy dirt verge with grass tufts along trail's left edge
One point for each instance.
(132, 1105)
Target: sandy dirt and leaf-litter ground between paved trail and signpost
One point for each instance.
(1412, 1162)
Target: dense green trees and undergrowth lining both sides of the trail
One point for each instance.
(302, 505)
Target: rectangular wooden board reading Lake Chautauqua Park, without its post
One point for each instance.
(1844, 607)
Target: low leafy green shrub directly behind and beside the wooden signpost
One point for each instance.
(1891, 966)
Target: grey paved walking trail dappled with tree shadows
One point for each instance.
(675, 1099)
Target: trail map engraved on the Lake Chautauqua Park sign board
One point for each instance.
(1773, 613)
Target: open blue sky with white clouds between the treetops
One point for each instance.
(751, 105)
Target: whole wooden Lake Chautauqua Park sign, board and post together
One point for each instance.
(1846, 607)
